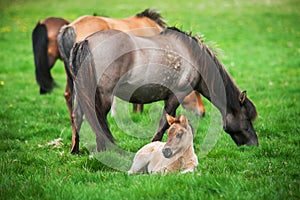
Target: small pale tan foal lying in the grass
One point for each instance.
(175, 155)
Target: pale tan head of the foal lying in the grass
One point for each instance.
(180, 136)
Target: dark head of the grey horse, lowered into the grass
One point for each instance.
(239, 124)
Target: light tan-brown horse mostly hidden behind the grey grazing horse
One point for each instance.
(147, 23)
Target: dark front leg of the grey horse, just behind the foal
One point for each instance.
(171, 104)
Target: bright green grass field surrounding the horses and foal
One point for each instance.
(260, 40)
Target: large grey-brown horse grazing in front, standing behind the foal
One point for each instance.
(143, 70)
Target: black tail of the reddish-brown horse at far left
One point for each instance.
(41, 60)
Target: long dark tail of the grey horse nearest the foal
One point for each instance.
(84, 75)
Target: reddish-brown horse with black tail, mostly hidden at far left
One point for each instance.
(45, 50)
